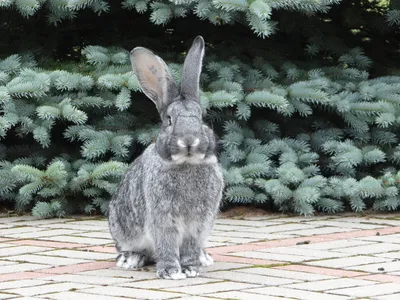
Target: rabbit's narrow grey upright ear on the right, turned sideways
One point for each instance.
(191, 70)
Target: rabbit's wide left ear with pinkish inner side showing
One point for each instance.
(154, 77)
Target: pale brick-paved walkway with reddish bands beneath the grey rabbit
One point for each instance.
(269, 257)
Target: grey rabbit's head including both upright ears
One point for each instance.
(183, 137)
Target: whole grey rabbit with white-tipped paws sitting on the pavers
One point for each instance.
(165, 206)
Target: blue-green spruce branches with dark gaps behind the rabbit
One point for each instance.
(304, 95)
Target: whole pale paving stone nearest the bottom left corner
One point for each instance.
(49, 288)
